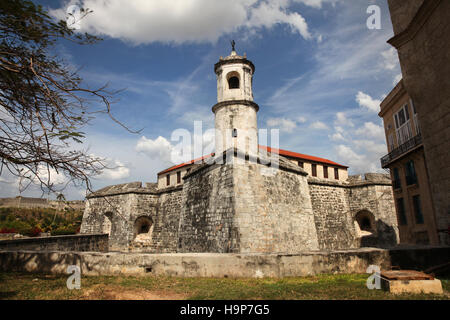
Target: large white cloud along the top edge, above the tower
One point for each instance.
(178, 21)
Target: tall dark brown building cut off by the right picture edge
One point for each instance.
(421, 37)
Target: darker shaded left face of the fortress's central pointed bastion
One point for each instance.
(207, 222)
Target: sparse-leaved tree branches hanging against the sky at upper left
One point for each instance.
(43, 104)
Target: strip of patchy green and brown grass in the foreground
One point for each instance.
(350, 286)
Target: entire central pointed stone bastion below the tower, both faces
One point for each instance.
(245, 208)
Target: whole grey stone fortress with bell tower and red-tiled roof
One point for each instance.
(236, 201)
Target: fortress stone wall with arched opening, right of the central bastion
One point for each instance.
(337, 206)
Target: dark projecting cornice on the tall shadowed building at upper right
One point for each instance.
(421, 17)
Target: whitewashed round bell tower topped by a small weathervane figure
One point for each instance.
(235, 111)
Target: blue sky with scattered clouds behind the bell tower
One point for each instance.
(320, 76)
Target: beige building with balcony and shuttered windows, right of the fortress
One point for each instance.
(407, 165)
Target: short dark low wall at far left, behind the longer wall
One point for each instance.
(79, 242)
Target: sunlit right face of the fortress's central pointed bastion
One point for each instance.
(273, 209)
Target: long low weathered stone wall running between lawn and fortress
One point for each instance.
(223, 265)
